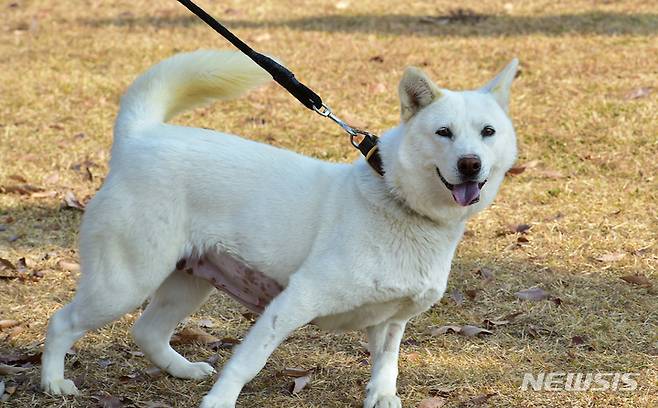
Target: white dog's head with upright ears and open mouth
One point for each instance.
(452, 149)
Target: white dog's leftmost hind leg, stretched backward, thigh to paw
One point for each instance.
(110, 286)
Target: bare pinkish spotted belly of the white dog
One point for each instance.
(246, 285)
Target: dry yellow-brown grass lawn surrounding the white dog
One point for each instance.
(63, 66)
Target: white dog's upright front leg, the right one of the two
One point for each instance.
(384, 345)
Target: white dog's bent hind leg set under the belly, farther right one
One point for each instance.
(177, 297)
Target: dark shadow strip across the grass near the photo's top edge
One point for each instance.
(468, 25)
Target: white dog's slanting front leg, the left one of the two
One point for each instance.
(293, 308)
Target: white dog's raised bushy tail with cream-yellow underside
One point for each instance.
(185, 81)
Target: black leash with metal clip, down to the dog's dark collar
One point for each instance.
(364, 141)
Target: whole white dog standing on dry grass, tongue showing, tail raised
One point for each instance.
(184, 210)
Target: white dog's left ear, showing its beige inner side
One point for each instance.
(416, 91)
